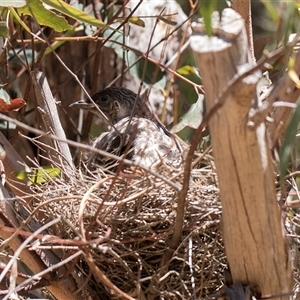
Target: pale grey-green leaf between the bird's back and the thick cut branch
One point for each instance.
(192, 118)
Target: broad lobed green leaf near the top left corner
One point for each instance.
(45, 17)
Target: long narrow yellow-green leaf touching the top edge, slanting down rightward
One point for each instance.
(74, 13)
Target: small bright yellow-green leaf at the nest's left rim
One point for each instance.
(40, 175)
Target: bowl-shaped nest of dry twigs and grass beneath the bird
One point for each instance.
(124, 225)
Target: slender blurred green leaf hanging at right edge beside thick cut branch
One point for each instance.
(289, 138)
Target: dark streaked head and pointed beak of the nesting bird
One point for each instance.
(116, 103)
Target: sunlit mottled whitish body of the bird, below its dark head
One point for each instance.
(143, 141)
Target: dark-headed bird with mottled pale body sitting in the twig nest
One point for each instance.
(135, 133)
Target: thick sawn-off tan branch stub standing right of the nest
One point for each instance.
(253, 236)
